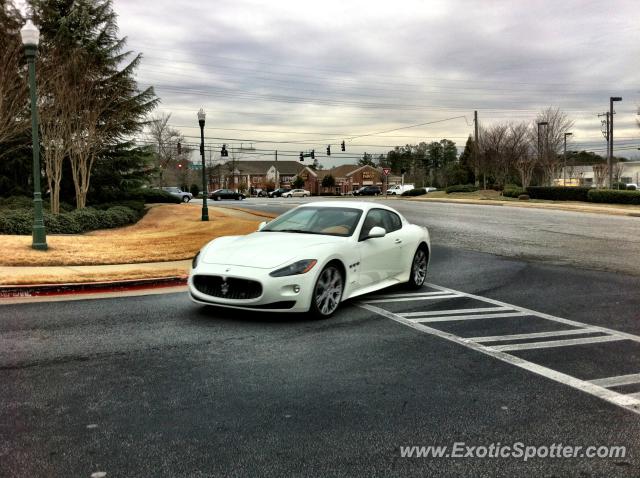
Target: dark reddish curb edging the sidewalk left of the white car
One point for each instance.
(40, 290)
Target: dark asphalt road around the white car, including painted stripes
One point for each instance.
(155, 385)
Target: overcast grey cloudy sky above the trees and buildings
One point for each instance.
(298, 75)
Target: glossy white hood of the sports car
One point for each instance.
(265, 250)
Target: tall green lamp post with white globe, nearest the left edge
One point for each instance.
(30, 36)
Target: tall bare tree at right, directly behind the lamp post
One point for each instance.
(552, 141)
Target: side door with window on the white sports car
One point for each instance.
(379, 257)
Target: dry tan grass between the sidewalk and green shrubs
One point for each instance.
(166, 233)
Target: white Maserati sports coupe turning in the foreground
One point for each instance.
(311, 258)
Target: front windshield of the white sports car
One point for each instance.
(331, 221)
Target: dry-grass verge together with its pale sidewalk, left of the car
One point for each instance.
(160, 245)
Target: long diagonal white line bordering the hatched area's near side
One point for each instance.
(629, 402)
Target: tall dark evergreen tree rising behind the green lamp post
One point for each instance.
(79, 40)
